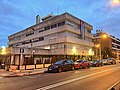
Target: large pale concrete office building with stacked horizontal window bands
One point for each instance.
(56, 36)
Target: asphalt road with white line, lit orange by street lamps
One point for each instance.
(94, 78)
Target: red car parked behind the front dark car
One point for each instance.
(81, 64)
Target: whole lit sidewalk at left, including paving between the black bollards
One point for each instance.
(30, 71)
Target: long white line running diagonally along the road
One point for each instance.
(72, 80)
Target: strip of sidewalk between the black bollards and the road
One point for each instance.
(17, 73)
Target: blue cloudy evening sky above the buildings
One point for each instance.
(16, 15)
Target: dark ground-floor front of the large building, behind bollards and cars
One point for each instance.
(25, 61)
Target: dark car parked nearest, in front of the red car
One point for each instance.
(62, 65)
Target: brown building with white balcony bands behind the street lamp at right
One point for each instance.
(110, 42)
